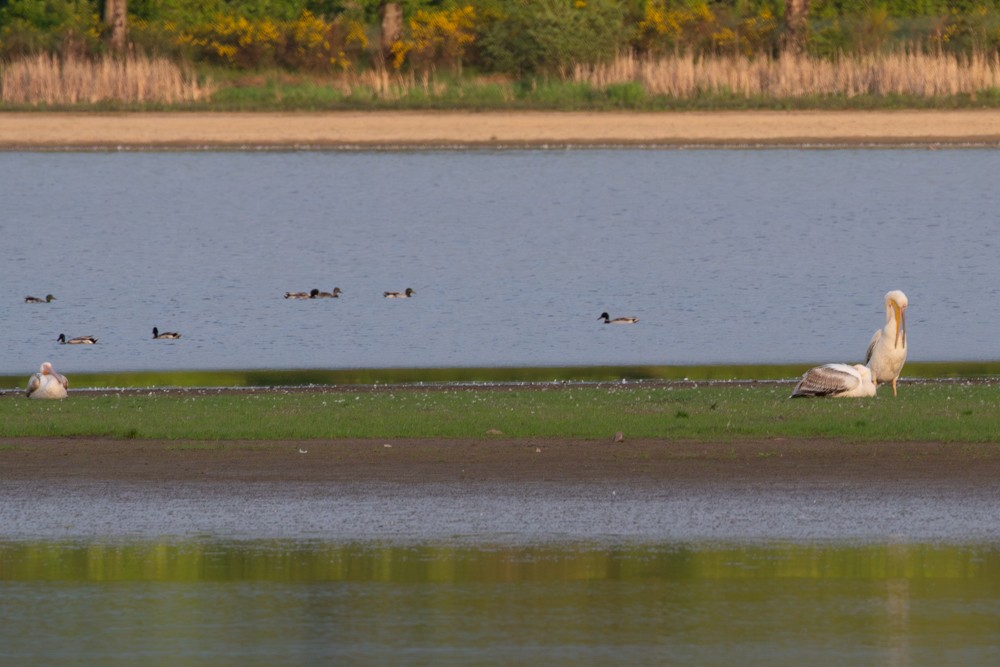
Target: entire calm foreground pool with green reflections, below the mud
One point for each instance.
(289, 602)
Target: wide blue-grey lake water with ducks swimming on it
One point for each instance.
(725, 256)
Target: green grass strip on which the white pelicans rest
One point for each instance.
(949, 412)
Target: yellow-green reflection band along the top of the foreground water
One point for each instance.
(295, 561)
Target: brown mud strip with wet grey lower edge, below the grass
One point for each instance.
(499, 490)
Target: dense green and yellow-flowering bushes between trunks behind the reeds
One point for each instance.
(514, 37)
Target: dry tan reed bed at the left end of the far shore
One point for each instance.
(45, 79)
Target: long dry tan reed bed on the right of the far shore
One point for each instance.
(791, 76)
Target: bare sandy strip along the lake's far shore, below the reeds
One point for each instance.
(445, 129)
